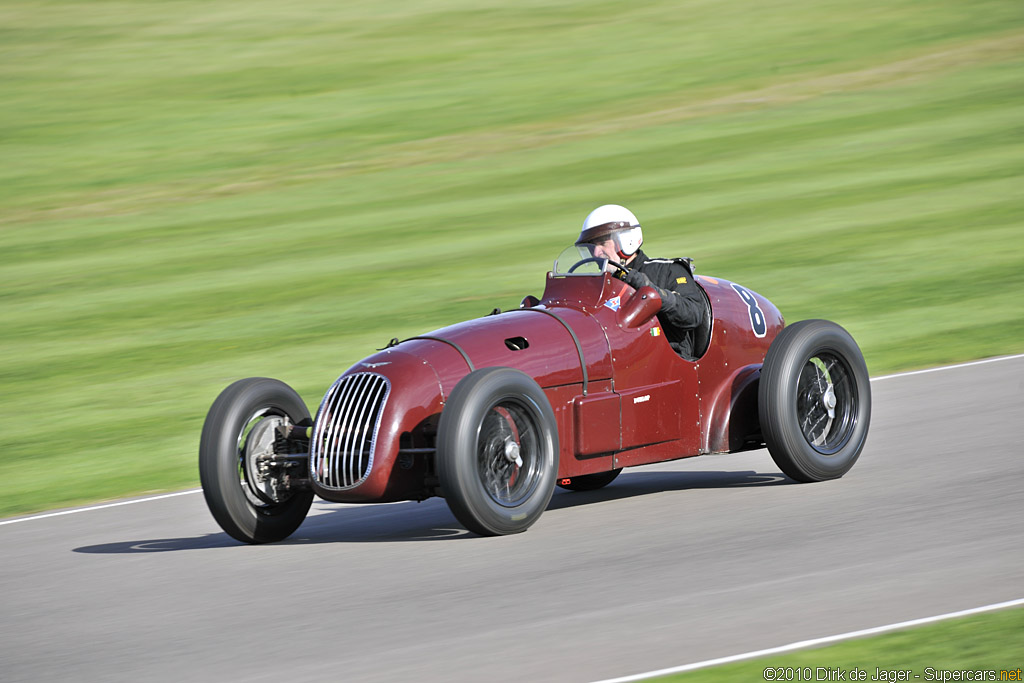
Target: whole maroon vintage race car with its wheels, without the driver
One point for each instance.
(494, 413)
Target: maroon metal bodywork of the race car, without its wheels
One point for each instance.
(621, 395)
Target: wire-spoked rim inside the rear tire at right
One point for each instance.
(827, 403)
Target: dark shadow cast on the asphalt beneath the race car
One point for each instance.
(432, 520)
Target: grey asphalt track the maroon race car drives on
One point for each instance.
(670, 565)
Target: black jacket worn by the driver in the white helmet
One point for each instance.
(684, 305)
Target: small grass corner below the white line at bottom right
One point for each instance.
(984, 643)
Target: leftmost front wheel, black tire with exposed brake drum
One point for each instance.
(243, 415)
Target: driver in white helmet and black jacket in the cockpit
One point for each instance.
(616, 235)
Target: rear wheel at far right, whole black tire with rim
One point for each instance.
(815, 401)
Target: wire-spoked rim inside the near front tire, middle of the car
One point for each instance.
(509, 453)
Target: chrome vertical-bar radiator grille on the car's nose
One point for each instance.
(342, 452)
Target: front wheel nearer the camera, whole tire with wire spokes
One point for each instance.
(493, 417)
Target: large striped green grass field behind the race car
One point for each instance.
(197, 192)
